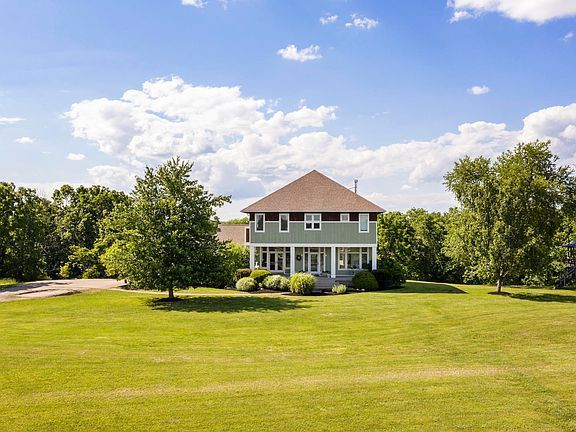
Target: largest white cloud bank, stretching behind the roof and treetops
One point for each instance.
(246, 147)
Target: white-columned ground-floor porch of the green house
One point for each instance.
(334, 261)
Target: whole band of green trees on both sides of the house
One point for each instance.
(513, 215)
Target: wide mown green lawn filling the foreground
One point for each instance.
(428, 357)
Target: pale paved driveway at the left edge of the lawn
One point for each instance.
(42, 289)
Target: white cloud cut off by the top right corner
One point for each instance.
(537, 11)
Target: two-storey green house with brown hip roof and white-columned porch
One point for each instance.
(313, 225)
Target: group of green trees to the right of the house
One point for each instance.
(513, 216)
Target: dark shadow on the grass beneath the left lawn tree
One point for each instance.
(226, 304)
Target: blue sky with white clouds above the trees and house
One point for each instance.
(258, 92)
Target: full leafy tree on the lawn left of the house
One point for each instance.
(166, 238)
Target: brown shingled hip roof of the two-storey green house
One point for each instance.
(313, 192)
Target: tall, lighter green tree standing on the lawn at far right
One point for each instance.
(509, 212)
